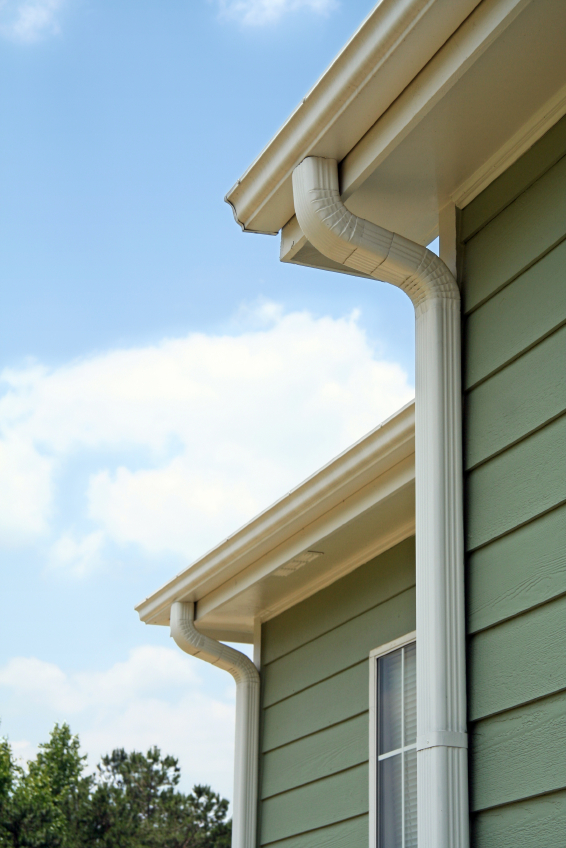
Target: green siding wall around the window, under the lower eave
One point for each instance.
(314, 740)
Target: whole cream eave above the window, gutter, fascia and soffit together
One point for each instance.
(351, 510)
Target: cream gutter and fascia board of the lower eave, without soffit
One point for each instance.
(327, 499)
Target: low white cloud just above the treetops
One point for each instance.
(155, 697)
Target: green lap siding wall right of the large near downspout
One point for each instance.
(513, 261)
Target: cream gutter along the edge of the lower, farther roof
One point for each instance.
(378, 453)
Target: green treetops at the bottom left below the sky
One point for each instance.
(132, 801)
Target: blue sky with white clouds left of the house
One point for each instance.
(163, 378)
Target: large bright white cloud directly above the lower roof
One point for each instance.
(219, 427)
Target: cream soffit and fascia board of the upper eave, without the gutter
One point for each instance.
(456, 127)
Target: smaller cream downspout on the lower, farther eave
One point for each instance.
(246, 675)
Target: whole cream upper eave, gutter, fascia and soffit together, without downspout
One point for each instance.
(427, 104)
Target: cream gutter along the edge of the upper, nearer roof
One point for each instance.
(390, 48)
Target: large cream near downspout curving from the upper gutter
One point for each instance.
(442, 773)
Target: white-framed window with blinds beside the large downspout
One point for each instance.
(393, 737)
